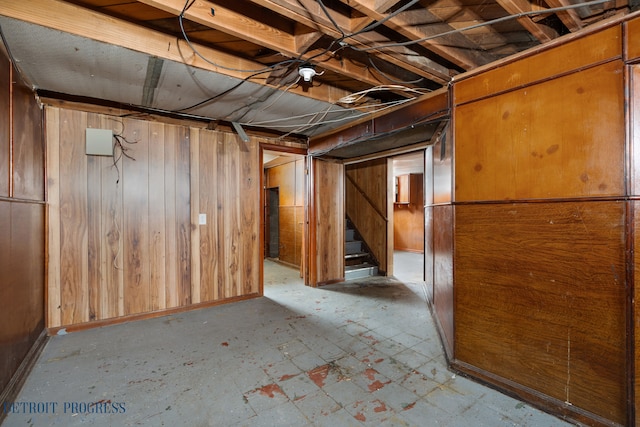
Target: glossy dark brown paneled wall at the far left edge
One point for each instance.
(22, 229)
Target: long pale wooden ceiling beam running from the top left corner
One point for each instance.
(62, 16)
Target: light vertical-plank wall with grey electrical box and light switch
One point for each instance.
(125, 240)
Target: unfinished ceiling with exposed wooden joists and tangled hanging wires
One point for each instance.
(237, 61)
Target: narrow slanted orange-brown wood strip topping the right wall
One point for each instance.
(578, 54)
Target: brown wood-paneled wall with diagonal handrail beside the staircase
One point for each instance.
(366, 205)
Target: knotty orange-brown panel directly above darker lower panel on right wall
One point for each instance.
(563, 138)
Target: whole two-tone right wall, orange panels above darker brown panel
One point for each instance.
(540, 240)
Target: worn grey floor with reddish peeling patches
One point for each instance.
(351, 354)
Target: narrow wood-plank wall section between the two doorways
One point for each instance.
(329, 222)
